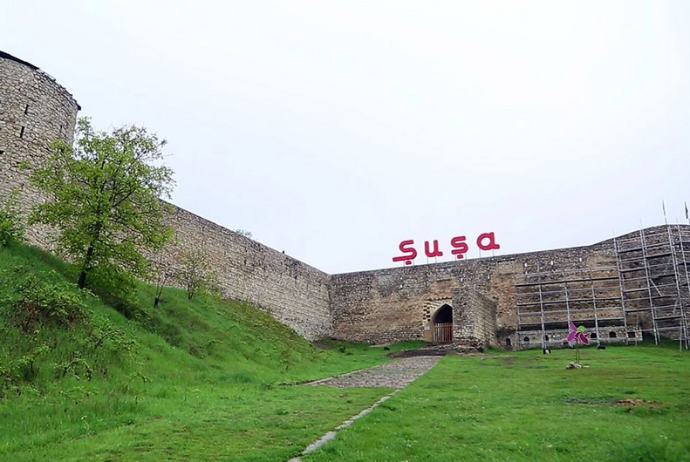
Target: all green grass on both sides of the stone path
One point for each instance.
(83, 379)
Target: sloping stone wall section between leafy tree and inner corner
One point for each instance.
(291, 291)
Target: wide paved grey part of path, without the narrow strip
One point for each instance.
(397, 374)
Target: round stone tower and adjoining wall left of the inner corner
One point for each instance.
(35, 110)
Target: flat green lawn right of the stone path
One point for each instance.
(525, 406)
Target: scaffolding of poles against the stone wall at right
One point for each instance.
(640, 288)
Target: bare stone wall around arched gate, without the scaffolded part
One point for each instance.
(398, 303)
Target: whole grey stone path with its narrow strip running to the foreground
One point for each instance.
(396, 375)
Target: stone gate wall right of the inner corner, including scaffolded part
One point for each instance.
(620, 289)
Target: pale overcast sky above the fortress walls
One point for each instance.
(335, 130)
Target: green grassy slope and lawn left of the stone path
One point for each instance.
(189, 380)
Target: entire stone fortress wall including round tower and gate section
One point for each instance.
(618, 289)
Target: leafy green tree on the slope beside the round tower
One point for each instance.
(104, 197)
